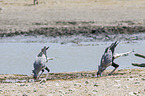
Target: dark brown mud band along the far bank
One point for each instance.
(77, 30)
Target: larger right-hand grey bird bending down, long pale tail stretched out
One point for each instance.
(108, 58)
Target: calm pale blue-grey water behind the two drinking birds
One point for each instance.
(18, 58)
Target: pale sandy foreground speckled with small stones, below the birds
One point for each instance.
(127, 82)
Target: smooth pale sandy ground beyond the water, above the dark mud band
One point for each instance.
(22, 15)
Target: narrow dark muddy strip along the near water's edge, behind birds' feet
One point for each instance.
(20, 78)
